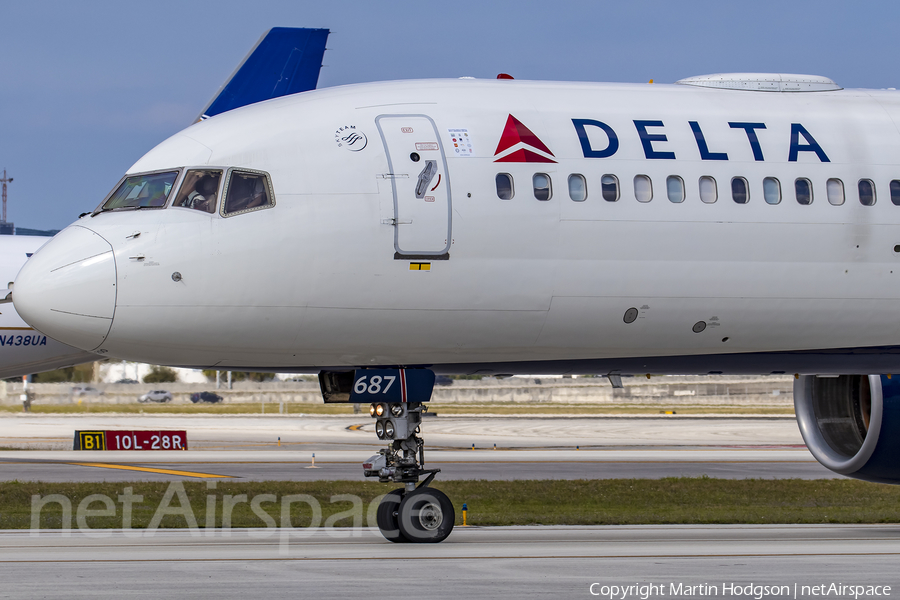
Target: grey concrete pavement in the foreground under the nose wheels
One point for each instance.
(474, 563)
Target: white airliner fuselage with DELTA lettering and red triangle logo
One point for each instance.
(329, 276)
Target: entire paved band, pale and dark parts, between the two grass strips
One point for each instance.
(245, 447)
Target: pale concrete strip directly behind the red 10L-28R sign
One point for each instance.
(254, 432)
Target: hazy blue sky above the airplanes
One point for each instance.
(88, 87)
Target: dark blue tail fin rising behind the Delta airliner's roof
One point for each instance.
(285, 60)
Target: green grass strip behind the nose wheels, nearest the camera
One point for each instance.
(530, 502)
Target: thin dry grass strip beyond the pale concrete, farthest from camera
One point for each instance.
(255, 408)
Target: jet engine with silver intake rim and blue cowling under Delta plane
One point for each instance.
(851, 424)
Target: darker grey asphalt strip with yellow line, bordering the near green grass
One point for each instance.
(733, 463)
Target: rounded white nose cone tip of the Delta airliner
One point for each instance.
(67, 289)
